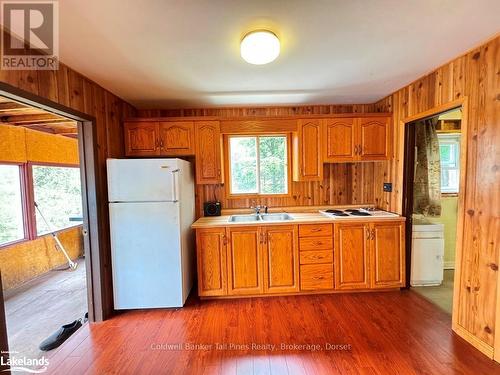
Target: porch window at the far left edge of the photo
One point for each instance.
(11, 204)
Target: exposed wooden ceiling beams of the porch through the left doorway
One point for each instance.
(17, 114)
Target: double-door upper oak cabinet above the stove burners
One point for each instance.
(356, 139)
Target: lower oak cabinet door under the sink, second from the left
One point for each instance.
(244, 261)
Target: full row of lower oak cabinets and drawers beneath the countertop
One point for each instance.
(280, 259)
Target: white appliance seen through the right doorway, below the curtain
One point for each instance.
(427, 255)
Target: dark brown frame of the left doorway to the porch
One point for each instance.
(93, 224)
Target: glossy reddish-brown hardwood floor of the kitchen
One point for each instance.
(377, 333)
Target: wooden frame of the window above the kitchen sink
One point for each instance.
(227, 166)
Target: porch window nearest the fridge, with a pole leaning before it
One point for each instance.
(57, 191)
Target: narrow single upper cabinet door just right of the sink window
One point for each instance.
(308, 158)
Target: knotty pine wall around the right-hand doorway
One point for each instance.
(474, 76)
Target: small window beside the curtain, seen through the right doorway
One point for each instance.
(449, 152)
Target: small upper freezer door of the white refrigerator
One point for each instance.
(142, 180)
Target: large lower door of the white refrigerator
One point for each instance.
(146, 256)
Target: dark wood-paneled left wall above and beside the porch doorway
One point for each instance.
(69, 88)
